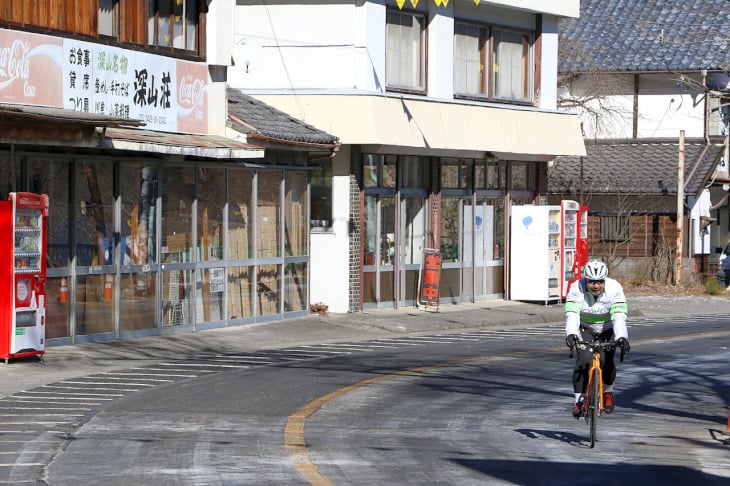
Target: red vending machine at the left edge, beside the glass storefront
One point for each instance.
(23, 243)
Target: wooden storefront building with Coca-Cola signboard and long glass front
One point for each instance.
(164, 215)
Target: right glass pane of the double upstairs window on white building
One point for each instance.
(512, 74)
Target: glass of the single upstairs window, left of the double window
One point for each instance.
(406, 55)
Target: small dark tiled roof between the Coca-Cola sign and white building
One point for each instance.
(250, 116)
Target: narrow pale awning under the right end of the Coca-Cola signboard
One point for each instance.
(184, 144)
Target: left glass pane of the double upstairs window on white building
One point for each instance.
(470, 59)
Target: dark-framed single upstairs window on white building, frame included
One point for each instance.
(419, 85)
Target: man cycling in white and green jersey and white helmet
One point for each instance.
(595, 306)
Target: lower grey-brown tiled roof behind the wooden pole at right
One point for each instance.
(640, 167)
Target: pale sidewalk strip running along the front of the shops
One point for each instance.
(63, 362)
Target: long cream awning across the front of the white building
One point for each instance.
(437, 127)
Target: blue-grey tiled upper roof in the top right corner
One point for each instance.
(646, 35)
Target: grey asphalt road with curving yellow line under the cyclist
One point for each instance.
(470, 407)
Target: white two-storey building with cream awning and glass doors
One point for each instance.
(446, 112)
